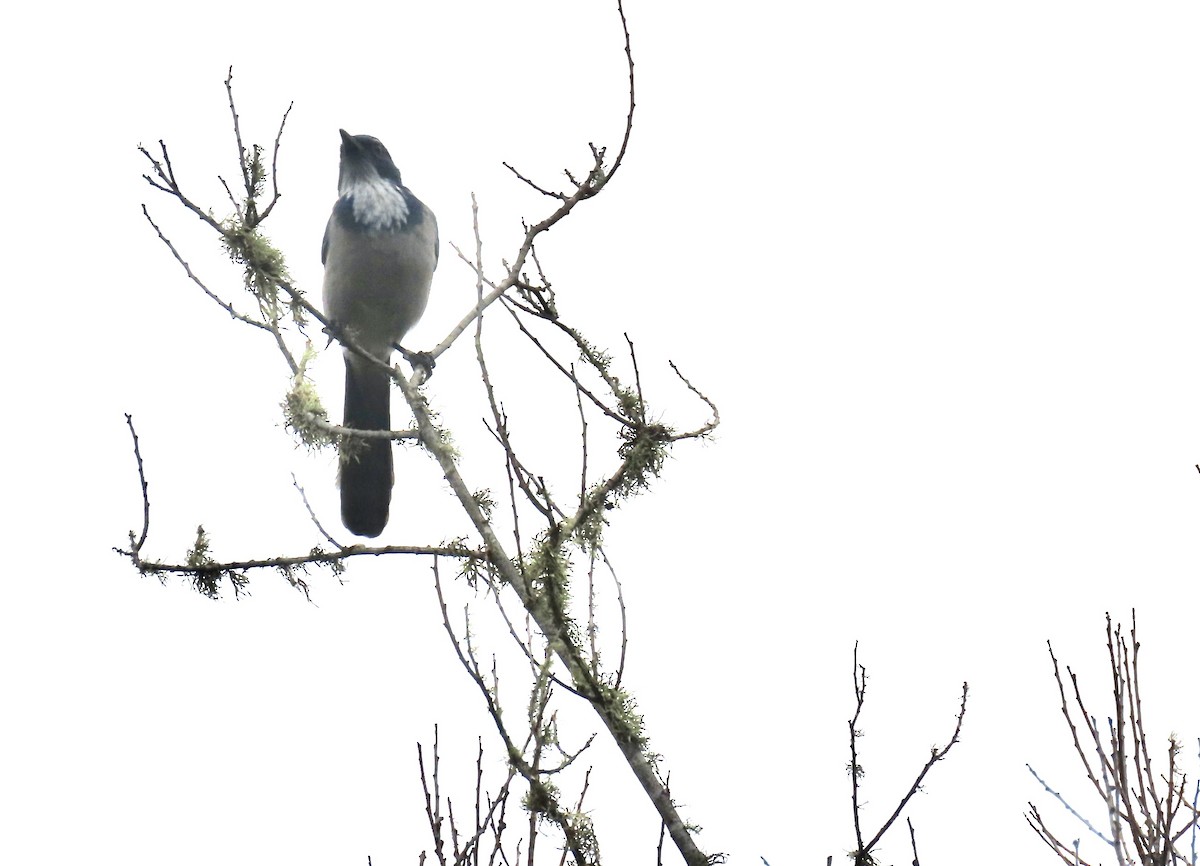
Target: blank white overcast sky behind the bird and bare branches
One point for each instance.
(937, 264)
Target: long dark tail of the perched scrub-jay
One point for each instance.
(367, 476)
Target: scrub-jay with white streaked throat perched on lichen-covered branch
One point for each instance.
(380, 252)
